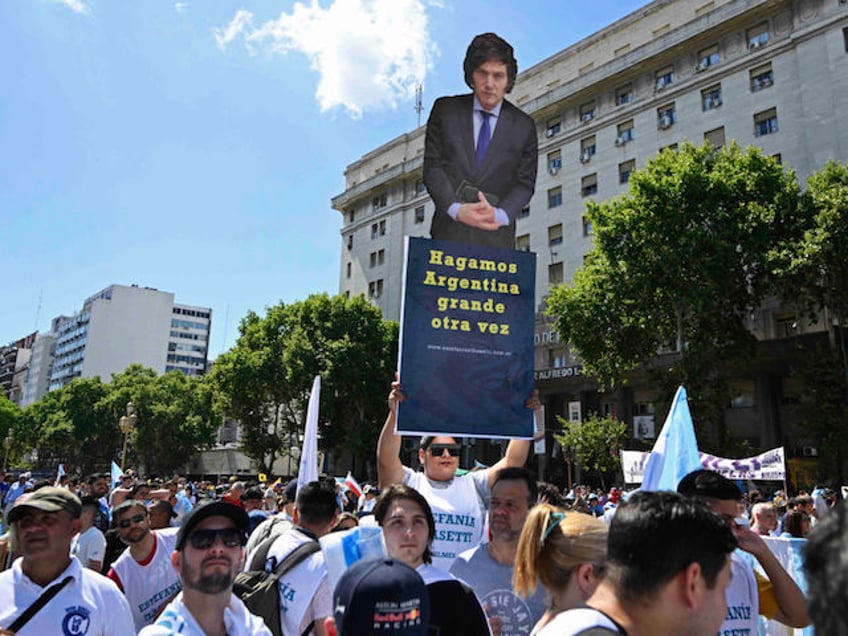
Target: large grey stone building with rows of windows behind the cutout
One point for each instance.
(768, 73)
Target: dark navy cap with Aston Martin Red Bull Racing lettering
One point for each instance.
(381, 596)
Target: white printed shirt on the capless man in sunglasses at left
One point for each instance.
(150, 584)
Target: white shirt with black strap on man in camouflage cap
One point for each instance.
(88, 605)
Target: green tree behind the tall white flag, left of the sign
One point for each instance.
(265, 379)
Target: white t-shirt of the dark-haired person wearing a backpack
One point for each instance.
(305, 593)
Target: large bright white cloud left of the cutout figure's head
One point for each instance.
(369, 54)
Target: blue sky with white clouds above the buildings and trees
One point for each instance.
(194, 147)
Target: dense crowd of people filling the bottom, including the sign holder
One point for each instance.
(491, 551)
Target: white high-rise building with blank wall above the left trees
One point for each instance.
(120, 326)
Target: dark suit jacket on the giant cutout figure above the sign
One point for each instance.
(509, 170)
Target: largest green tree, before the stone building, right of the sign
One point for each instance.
(678, 264)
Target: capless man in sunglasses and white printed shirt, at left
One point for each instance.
(144, 572)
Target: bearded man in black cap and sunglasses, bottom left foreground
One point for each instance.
(208, 555)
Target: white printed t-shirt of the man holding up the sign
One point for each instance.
(459, 509)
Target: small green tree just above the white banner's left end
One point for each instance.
(594, 443)
